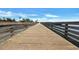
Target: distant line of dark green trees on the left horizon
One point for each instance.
(4, 19)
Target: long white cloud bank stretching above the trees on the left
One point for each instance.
(12, 14)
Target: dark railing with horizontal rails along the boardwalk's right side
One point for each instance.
(68, 30)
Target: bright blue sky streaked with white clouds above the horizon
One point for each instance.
(42, 14)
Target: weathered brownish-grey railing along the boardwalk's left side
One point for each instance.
(7, 30)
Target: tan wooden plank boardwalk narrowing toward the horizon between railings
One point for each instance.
(37, 37)
